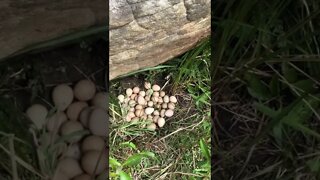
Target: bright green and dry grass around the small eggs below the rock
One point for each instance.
(180, 150)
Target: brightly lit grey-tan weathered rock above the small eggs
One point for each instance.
(144, 33)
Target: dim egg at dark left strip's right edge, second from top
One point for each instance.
(98, 122)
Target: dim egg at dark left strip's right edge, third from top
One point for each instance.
(93, 142)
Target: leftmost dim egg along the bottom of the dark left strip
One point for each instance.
(70, 167)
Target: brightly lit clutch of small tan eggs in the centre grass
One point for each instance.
(151, 105)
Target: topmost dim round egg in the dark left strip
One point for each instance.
(84, 90)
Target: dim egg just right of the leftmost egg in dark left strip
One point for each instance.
(55, 121)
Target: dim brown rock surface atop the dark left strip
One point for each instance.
(24, 23)
